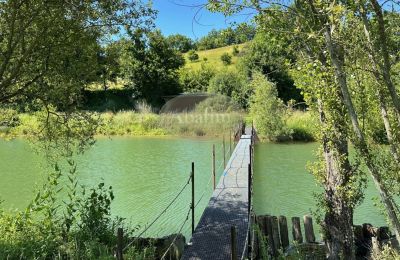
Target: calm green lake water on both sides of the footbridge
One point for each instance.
(146, 174)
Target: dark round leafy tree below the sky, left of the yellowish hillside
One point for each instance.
(150, 66)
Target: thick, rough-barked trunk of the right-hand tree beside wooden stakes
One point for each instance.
(338, 220)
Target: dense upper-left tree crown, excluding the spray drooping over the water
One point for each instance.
(49, 51)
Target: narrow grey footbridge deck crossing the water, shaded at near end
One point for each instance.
(227, 208)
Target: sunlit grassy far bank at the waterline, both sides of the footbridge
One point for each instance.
(300, 126)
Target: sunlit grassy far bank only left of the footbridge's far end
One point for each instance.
(130, 123)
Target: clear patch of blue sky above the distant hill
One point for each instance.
(177, 16)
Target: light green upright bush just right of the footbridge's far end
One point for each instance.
(267, 110)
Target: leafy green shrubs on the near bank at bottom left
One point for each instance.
(78, 228)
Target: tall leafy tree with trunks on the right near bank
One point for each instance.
(321, 32)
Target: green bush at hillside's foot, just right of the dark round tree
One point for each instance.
(196, 80)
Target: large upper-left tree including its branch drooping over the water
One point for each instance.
(49, 51)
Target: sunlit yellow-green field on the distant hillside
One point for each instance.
(214, 57)
